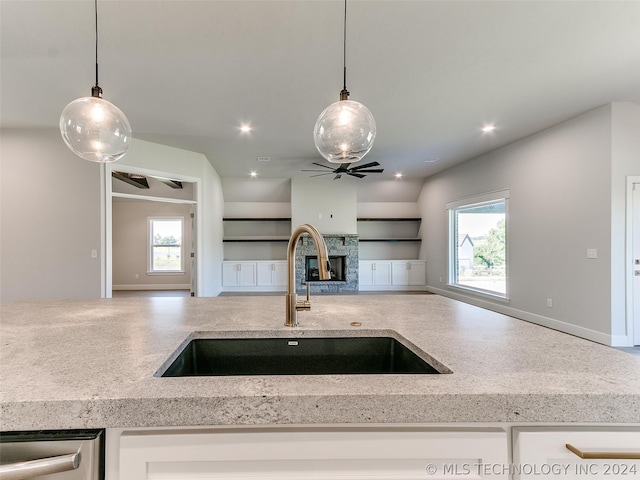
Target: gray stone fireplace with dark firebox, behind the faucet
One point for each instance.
(343, 256)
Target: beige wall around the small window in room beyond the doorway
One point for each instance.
(130, 239)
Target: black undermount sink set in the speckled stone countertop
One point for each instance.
(297, 356)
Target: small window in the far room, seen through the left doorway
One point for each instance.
(165, 245)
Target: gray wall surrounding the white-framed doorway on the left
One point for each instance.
(50, 213)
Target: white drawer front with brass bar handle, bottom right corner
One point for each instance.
(610, 452)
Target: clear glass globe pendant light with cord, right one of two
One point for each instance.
(345, 130)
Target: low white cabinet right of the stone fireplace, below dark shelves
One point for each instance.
(392, 275)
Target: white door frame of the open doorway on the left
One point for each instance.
(106, 282)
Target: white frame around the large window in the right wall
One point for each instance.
(452, 275)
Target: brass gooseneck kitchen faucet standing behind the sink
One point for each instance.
(293, 305)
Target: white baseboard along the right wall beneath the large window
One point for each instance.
(578, 331)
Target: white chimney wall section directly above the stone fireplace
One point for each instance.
(330, 206)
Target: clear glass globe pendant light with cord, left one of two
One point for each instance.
(93, 128)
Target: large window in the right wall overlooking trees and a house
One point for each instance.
(478, 244)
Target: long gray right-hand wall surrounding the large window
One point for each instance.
(560, 203)
